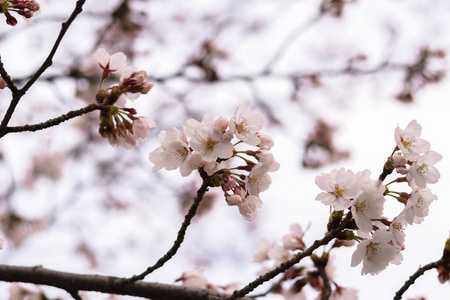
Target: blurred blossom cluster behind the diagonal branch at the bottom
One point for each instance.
(296, 278)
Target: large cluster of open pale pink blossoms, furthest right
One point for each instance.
(382, 239)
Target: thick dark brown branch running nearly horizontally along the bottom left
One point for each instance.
(105, 284)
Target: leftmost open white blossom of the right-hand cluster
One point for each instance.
(340, 187)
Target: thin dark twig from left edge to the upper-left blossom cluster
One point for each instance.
(52, 122)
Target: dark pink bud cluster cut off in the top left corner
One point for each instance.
(26, 8)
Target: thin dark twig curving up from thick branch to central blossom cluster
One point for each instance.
(180, 236)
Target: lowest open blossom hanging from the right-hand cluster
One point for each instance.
(375, 253)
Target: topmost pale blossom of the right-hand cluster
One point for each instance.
(409, 141)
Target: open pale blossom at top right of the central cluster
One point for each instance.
(245, 125)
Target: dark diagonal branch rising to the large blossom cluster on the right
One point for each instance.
(290, 263)
